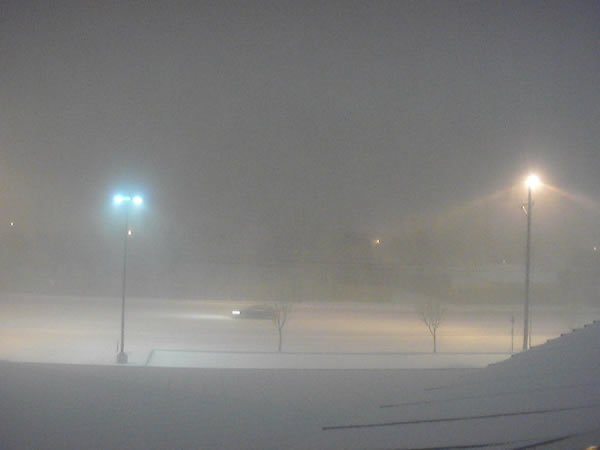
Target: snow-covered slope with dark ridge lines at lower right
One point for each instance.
(547, 397)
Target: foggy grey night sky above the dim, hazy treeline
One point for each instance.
(247, 119)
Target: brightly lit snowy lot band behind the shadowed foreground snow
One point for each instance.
(86, 330)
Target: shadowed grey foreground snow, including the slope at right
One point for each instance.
(548, 397)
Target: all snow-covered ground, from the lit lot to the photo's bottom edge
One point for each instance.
(350, 376)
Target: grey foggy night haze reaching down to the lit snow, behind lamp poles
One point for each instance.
(345, 151)
